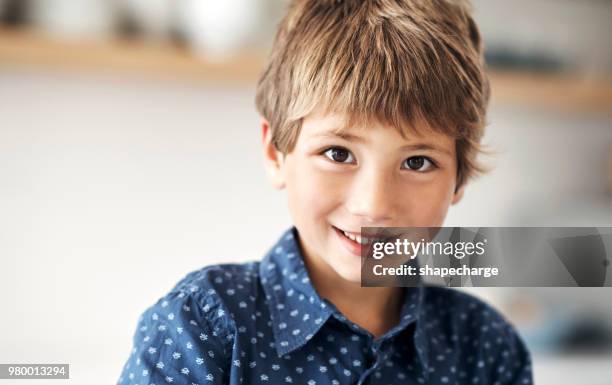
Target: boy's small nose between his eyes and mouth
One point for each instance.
(372, 197)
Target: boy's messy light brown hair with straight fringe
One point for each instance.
(397, 62)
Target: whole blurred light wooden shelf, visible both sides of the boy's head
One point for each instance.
(19, 48)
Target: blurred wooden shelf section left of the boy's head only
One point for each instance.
(32, 49)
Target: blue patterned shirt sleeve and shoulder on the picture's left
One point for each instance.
(190, 329)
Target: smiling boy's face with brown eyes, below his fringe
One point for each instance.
(366, 176)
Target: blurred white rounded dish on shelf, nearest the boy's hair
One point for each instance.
(218, 29)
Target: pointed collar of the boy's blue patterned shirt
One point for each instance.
(298, 312)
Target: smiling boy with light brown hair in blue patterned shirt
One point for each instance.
(372, 115)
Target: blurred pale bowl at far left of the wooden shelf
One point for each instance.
(74, 19)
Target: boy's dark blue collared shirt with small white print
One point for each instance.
(264, 323)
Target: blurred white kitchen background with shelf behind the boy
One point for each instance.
(129, 156)
